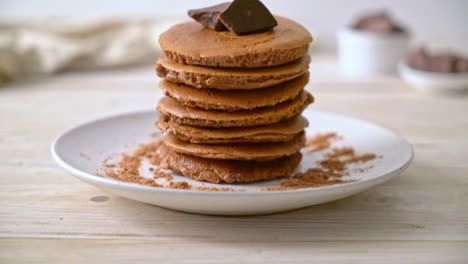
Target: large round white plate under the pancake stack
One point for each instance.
(82, 150)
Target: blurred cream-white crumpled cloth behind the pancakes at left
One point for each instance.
(51, 45)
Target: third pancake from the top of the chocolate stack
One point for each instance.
(234, 100)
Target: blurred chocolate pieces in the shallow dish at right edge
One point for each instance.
(421, 59)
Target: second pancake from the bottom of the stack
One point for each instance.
(245, 151)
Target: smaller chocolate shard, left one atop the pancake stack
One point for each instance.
(209, 16)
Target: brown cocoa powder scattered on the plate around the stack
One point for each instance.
(331, 169)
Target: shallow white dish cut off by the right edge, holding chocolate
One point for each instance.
(437, 82)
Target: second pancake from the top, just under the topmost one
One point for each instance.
(229, 79)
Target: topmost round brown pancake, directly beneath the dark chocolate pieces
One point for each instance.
(191, 43)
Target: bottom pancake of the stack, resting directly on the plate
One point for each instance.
(228, 171)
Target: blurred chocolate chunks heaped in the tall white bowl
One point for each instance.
(378, 22)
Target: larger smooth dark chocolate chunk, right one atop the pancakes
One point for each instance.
(247, 16)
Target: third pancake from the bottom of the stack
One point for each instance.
(279, 132)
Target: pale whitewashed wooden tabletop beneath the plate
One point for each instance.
(47, 216)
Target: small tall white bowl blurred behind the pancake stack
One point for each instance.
(364, 53)
